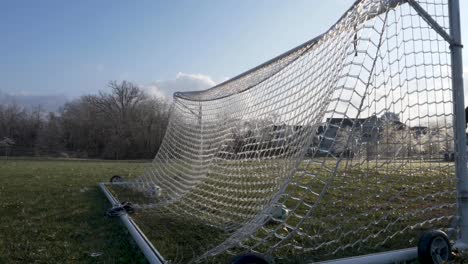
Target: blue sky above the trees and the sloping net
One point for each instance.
(73, 48)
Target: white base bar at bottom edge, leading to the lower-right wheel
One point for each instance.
(396, 256)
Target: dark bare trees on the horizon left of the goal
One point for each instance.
(124, 123)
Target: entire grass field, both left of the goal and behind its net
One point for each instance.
(52, 212)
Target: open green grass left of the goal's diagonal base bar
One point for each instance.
(53, 212)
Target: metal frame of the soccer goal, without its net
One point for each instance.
(453, 38)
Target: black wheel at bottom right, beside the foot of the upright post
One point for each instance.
(434, 247)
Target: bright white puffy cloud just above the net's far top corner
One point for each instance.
(182, 83)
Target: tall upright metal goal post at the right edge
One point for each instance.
(459, 124)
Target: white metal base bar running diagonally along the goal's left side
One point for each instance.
(150, 252)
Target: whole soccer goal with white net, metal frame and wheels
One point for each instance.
(352, 144)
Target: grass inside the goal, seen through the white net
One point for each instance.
(369, 208)
